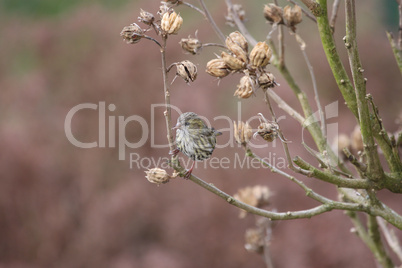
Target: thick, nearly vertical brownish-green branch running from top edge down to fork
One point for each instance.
(374, 168)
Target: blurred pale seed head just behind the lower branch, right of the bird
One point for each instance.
(256, 196)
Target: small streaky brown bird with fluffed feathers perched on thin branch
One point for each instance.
(194, 138)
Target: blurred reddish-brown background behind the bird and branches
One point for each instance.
(63, 206)
